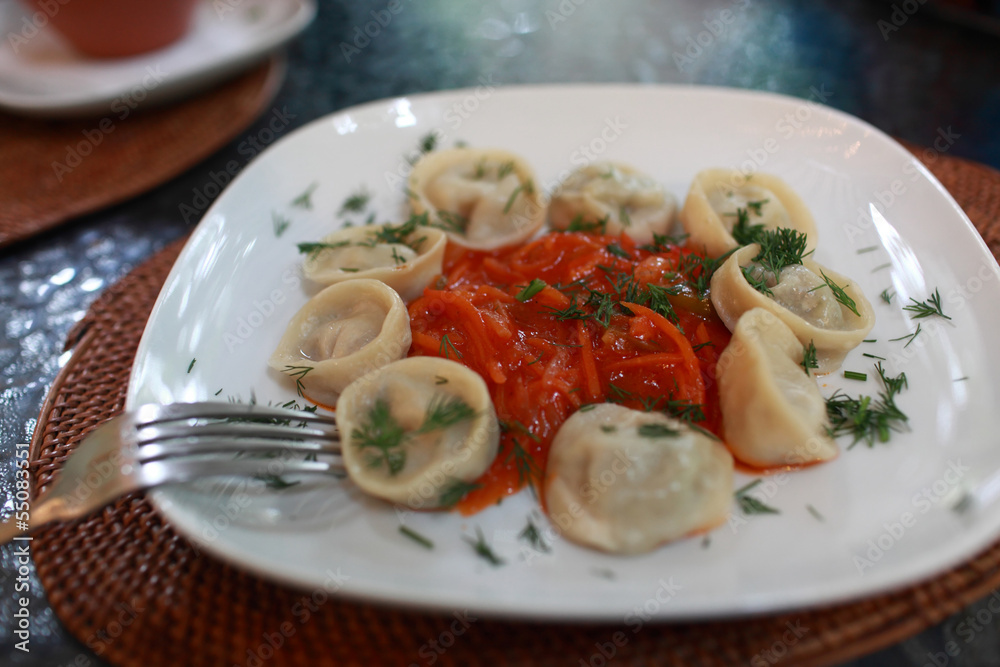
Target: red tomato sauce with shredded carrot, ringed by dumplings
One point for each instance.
(547, 350)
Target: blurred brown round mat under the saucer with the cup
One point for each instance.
(54, 170)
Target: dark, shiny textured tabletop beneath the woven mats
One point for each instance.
(928, 77)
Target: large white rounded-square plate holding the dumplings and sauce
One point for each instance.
(235, 286)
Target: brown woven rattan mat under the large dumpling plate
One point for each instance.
(125, 584)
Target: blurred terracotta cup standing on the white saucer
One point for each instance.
(118, 28)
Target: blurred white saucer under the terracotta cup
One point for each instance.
(41, 75)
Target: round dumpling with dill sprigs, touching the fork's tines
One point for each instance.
(418, 431)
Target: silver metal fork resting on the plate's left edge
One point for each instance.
(181, 442)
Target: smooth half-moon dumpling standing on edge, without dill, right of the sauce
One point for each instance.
(772, 411)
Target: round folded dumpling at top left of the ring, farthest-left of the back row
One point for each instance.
(482, 198)
